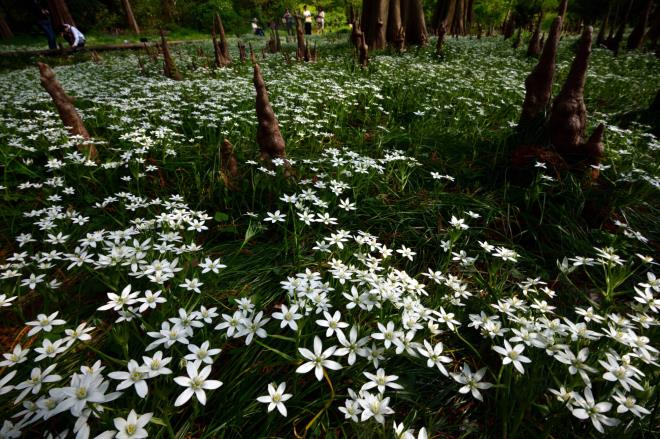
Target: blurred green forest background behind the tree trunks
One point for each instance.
(110, 18)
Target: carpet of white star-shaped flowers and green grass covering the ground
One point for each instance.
(391, 276)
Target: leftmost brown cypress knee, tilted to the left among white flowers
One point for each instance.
(64, 104)
